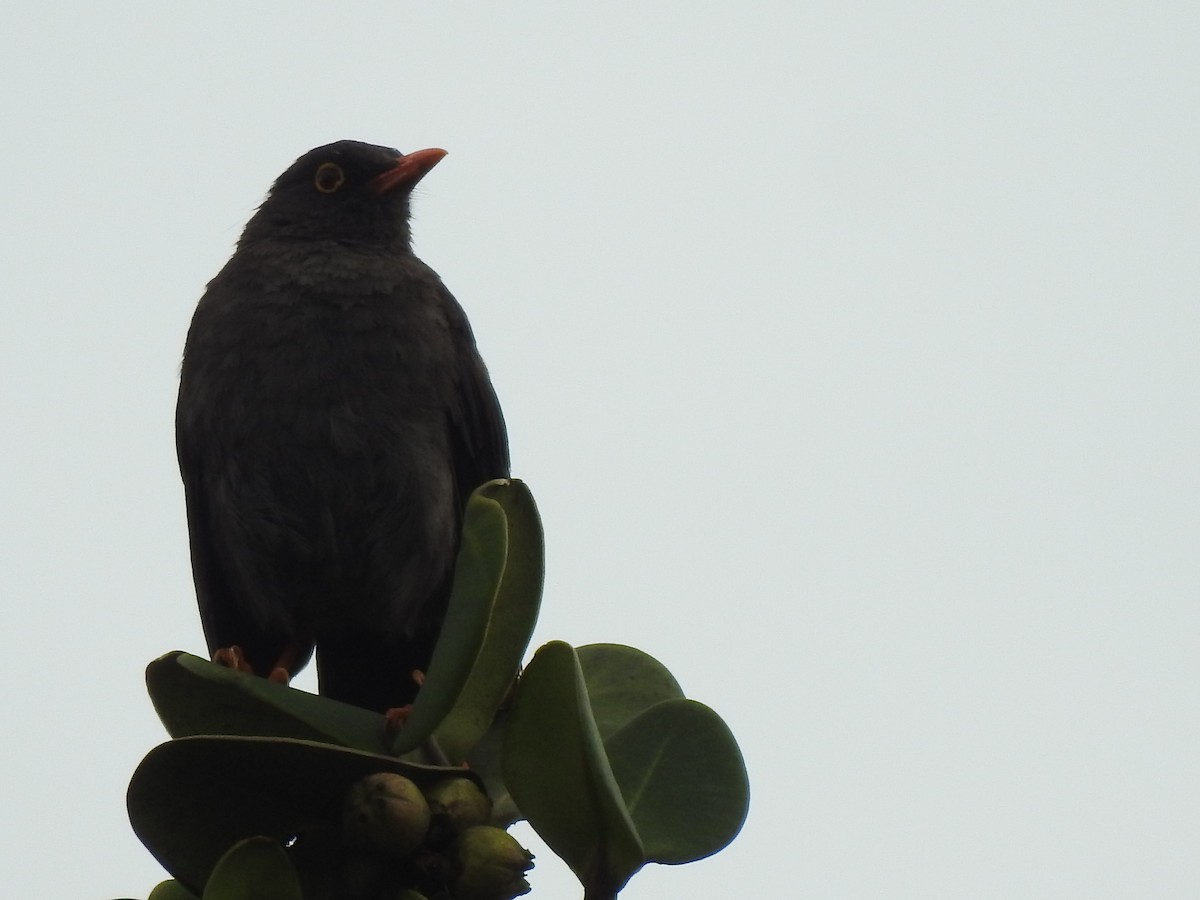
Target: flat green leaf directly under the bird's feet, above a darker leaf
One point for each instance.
(194, 697)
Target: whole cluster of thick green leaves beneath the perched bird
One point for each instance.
(596, 747)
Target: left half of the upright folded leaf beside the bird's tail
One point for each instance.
(477, 581)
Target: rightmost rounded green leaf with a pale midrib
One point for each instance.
(683, 779)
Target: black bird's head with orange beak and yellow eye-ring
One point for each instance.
(347, 193)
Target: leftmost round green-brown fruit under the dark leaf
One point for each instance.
(387, 812)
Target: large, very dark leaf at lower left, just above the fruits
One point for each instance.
(193, 799)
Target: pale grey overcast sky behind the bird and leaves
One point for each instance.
(850, 351)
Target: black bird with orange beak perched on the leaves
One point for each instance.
(334, 417)
